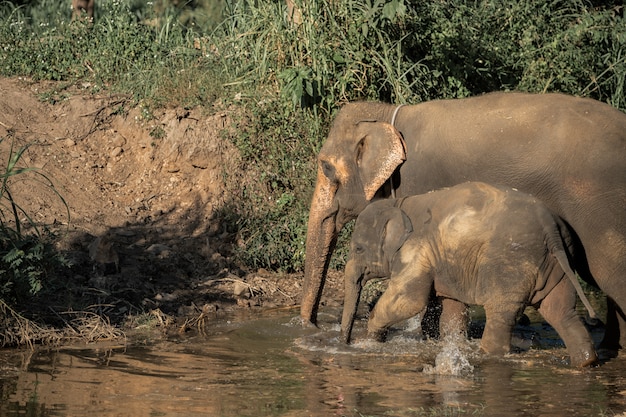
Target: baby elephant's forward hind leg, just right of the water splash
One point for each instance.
(496, 338)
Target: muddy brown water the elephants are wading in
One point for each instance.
(270, 366)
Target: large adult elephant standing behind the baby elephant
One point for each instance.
(569, 152)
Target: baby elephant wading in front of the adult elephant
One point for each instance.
(474, 243)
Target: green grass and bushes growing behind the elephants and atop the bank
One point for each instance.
(289, 78)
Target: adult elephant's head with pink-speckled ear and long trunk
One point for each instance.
(361, 153)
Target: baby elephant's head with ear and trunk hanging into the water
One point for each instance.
(379, 233)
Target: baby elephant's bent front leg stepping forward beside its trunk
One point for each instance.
(398, 302)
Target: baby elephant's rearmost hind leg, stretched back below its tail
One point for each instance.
(558, 308)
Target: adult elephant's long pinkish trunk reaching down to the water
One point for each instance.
(320, 243)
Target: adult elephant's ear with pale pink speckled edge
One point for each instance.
(379, 153)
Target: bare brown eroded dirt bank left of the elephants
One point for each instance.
(144, 192)
